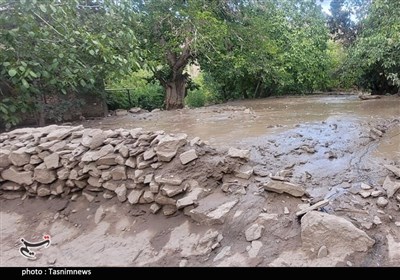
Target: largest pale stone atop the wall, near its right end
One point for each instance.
(168, 146)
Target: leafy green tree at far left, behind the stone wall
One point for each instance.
(57, 48)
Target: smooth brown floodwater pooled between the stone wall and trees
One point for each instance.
(231, 124)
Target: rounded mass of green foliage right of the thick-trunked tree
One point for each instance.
(272, 47)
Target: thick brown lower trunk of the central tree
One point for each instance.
(175, 92)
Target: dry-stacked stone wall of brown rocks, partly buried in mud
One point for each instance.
(166, 171)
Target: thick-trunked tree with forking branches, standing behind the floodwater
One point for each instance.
(173, 33)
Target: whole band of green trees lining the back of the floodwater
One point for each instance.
(54, 49)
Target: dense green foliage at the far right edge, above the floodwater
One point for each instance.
(373, 60)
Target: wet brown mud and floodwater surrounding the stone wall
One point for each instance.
(328, 144)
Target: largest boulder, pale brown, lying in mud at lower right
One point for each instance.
(339, 235)
